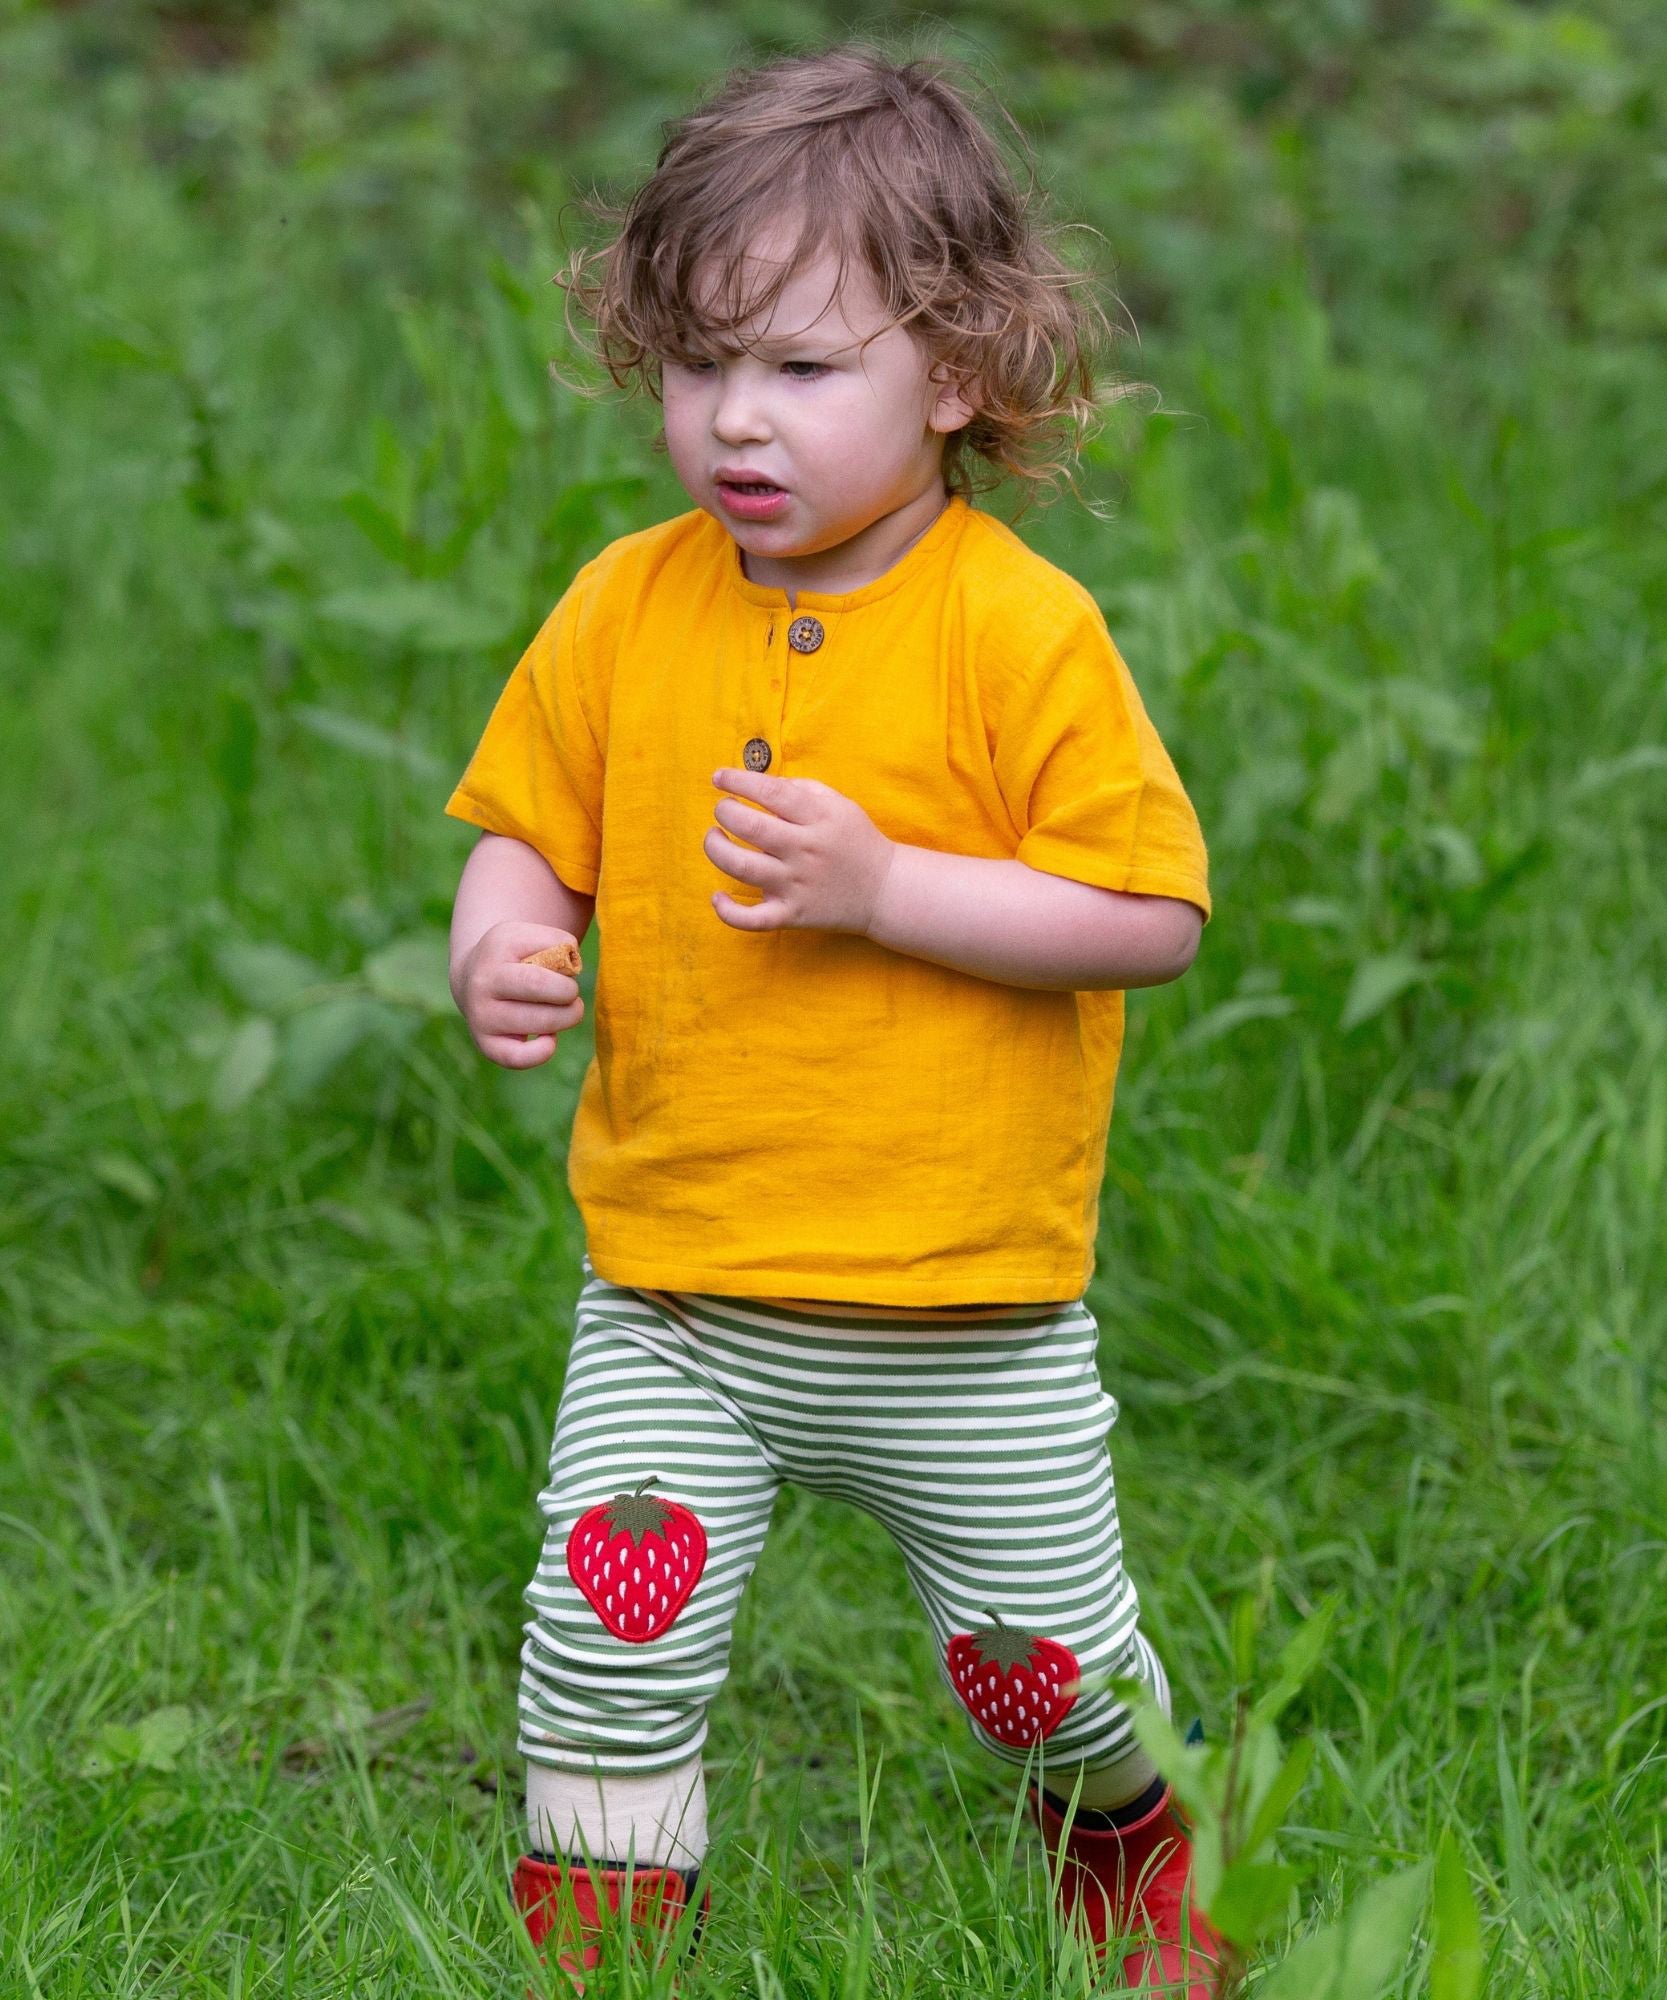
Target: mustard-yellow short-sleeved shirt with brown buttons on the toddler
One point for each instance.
(807, 1115)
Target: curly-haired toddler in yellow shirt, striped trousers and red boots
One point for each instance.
(876, 835)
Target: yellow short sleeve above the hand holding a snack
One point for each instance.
(537, 771)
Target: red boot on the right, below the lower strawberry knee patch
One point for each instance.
(1134, 1881)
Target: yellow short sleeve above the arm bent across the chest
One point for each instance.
(1088, 779)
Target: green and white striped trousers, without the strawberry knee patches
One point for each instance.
(980, 1445)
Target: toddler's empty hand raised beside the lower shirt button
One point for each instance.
(823, 861)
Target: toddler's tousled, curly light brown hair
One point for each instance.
(886, 161)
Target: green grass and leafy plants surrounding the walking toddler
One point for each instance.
(287, 1271)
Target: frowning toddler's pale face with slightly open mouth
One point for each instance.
(844, 439)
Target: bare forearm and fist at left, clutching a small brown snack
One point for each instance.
(511, 903)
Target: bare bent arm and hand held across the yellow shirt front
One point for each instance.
(823, 863)
